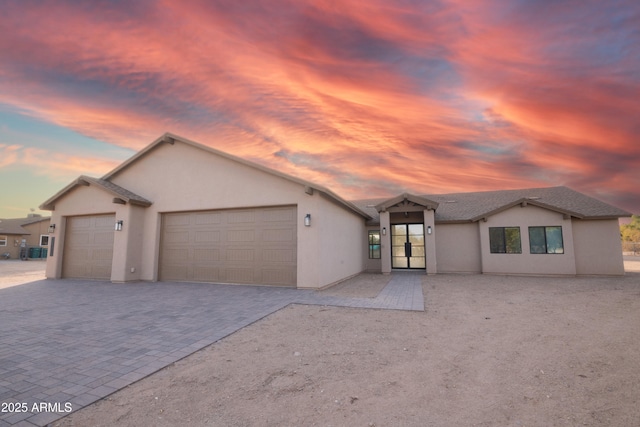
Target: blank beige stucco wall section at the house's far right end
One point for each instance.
(598, 247)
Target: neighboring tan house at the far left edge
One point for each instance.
(31, 233)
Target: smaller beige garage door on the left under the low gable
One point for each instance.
(88, 247)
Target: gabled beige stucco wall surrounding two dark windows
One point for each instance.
(527, 263)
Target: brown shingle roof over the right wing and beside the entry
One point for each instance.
(465, 207)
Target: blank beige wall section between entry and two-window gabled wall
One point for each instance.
(458, 248)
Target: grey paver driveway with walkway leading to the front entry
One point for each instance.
(70, 342)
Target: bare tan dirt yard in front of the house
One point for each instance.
(488, 351)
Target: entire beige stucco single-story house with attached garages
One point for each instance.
(181, 211)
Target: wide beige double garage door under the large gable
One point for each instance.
(254, 246)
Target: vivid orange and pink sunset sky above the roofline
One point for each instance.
(369, 98)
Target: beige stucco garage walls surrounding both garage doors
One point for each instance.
(180, 177)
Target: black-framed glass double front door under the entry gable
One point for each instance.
(407, 246)
